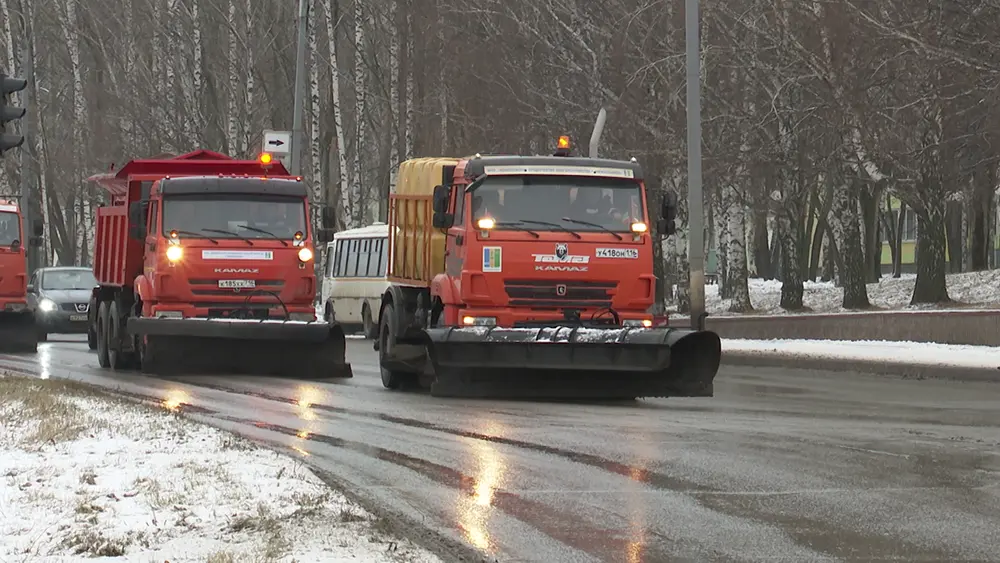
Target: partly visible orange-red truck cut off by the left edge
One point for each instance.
(17, 319)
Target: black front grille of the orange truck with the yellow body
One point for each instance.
(559, 294)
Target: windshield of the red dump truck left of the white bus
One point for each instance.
(245, 216)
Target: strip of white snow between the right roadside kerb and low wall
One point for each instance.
(922, 353)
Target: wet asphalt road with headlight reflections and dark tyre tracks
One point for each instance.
(781, 465)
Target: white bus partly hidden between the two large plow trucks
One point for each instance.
(354, 277)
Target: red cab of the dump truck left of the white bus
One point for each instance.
(225, 247)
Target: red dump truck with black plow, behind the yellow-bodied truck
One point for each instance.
(205, 265)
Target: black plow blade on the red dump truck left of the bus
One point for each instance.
(305, 350)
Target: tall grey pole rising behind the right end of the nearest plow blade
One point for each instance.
(696, 200)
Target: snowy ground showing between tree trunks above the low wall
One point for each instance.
(977, 289)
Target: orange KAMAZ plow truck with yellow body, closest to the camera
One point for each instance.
(531, 277)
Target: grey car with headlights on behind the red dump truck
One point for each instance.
(60, 297)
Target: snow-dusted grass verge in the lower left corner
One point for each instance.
(88, 478)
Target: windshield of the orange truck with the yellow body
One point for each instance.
(579, 203)
